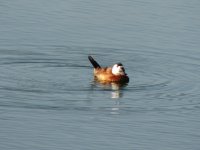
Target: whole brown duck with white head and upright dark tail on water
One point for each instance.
(114, 74)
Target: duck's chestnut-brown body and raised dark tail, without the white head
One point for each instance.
(106, 74)
